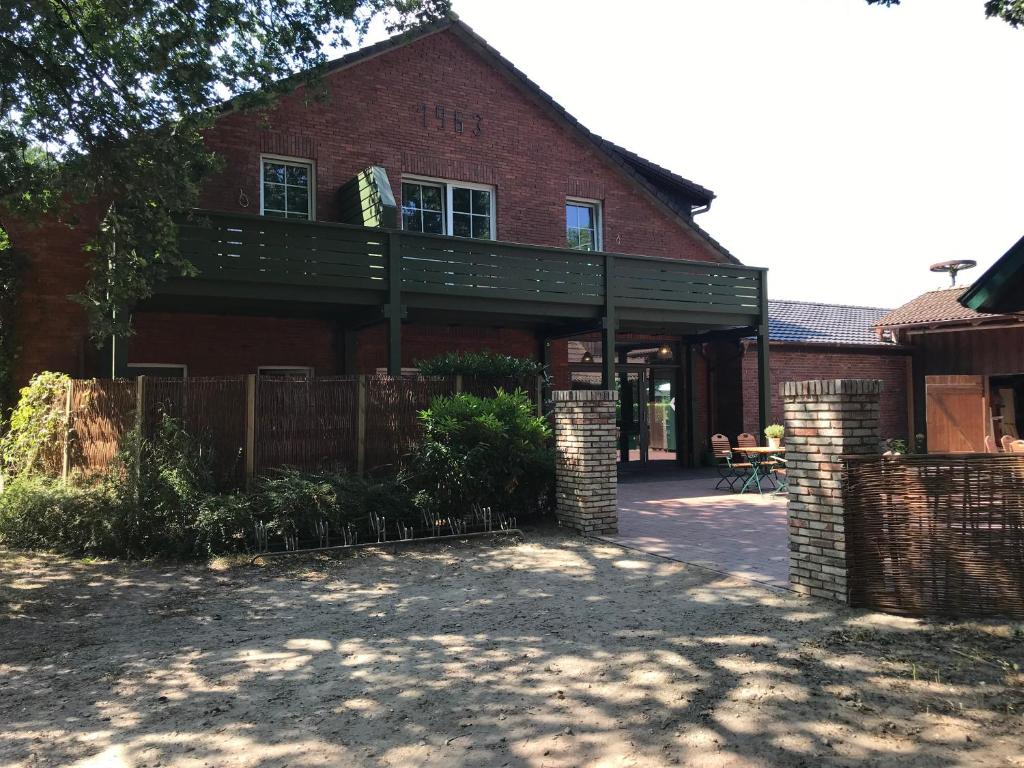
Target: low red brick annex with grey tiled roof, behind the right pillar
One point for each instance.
(829, 342)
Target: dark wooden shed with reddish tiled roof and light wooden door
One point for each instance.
(968, 369)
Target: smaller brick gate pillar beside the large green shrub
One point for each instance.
(585, 462)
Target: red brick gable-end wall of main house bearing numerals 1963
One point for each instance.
(372, 117)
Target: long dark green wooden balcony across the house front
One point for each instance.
(262, 262)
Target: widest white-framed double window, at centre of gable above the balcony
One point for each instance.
(441, 207)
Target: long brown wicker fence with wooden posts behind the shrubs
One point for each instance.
(253, 425)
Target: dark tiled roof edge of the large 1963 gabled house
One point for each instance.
(679, 196)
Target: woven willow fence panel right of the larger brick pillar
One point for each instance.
(937, 535)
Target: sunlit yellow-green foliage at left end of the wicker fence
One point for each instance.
(35, 437)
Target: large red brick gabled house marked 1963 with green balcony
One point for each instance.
(438, 200)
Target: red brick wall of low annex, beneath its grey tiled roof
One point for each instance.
(793, 363)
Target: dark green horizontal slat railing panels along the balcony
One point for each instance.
(255, 249)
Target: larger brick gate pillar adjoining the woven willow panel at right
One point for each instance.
(824, 421)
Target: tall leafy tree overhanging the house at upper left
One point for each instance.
(107, 101)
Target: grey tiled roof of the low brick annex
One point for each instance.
(813, 323)
